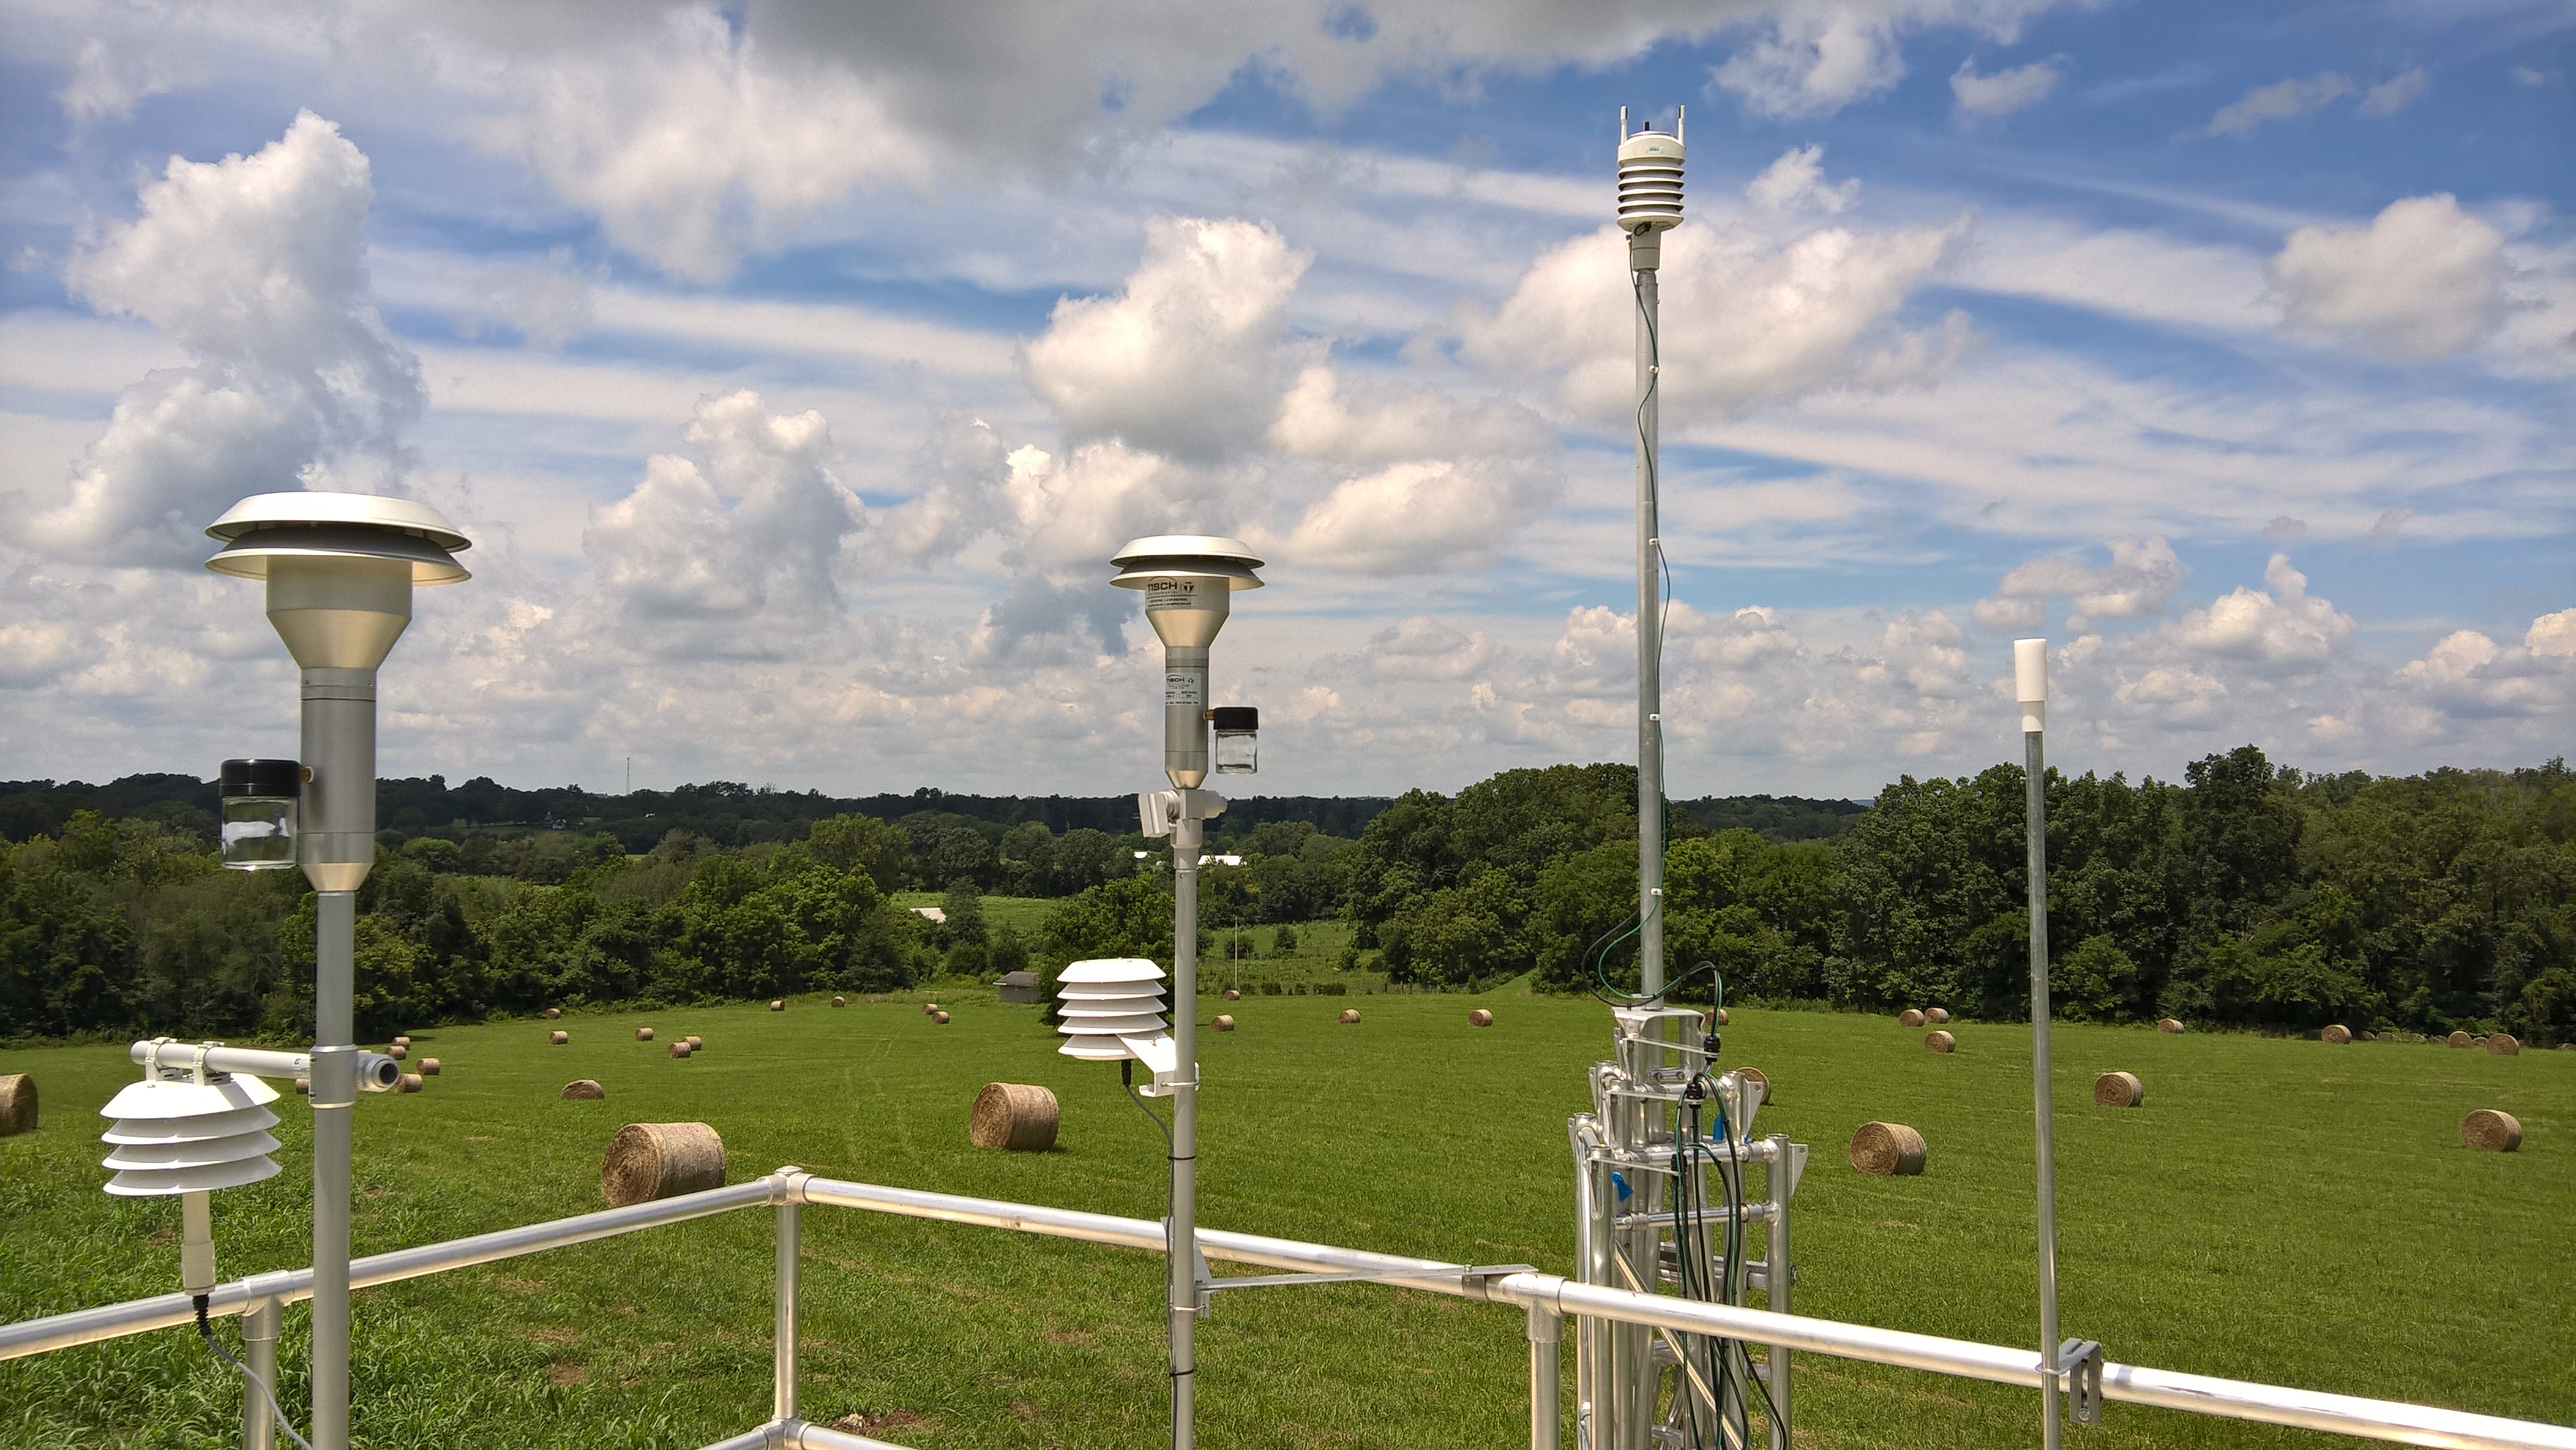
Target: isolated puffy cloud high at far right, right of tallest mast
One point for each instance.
(2415, 285)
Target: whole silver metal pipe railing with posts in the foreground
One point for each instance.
(1544, 1299)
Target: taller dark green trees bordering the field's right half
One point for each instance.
(2245, 895)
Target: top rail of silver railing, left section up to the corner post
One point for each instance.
(290, 1286)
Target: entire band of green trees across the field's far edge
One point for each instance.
(2242, 895)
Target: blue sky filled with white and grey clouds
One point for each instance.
(797, 370)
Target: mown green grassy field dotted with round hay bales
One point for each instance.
(2281, 1209)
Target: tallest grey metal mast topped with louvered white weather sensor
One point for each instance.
(1650, 205)
